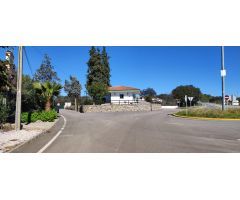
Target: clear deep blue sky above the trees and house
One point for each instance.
(162, 68)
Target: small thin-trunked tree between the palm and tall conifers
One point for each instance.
(73, 88)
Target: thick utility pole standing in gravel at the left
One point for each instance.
(19, 90)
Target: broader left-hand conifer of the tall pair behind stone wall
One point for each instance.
(96, 86)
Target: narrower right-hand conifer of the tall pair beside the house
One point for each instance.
(106, 66)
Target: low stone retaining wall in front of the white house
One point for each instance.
(120, 108)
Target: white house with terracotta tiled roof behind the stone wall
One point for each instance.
(123, 95)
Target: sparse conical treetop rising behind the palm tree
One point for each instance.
(46, 71)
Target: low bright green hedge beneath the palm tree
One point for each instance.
(45, 116)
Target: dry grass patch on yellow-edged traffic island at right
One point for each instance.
(211, 113)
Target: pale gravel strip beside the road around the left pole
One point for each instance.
(11, 139)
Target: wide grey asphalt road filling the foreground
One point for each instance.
(142, 132)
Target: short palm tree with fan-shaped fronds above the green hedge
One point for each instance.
(47, 90)
